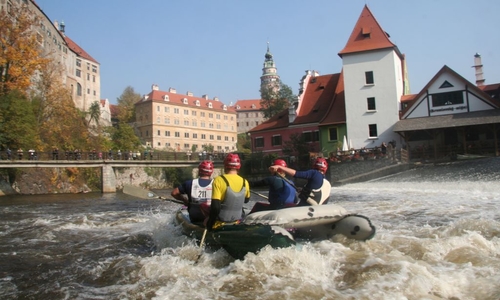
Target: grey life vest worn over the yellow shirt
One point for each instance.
(232, 206)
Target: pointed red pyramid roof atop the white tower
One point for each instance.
(367, 35)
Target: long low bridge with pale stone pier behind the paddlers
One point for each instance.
(108, 178)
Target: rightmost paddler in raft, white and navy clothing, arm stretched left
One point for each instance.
(317, 189)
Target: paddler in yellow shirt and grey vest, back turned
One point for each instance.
(230, 191)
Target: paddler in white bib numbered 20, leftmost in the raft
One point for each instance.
(197, 193)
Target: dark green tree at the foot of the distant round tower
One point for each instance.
(274, 99)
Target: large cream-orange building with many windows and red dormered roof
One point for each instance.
(185, 123)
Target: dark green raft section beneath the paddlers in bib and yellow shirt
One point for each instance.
(240, 239)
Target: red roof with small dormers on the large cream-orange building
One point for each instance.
(174, 98)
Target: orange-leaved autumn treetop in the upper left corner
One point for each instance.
(20, 51)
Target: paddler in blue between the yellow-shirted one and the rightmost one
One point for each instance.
(282, 192)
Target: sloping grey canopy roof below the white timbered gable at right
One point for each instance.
(491, 116)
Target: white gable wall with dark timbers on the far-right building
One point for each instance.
(447, 80)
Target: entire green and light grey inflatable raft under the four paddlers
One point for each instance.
(280, 228)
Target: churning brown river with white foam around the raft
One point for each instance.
(438, 237)
